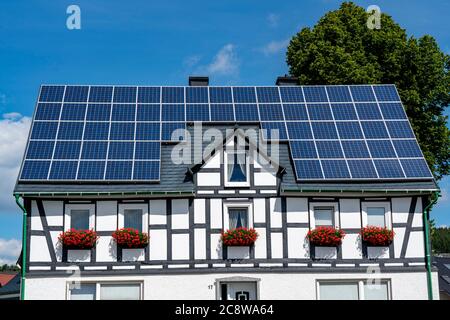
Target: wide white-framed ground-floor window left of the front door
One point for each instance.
(105, 291)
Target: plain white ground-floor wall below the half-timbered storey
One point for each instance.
(290, 286)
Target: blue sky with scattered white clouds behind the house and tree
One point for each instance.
(159, 42)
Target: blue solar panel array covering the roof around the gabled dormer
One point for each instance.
(105, 133)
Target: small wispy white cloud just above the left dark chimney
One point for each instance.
(225, 62)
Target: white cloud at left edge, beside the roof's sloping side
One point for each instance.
(13, 136)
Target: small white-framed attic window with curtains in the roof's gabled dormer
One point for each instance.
(237, 169)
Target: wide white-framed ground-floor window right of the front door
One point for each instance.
(354, 290)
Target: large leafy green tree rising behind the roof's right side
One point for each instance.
(341, 49)
